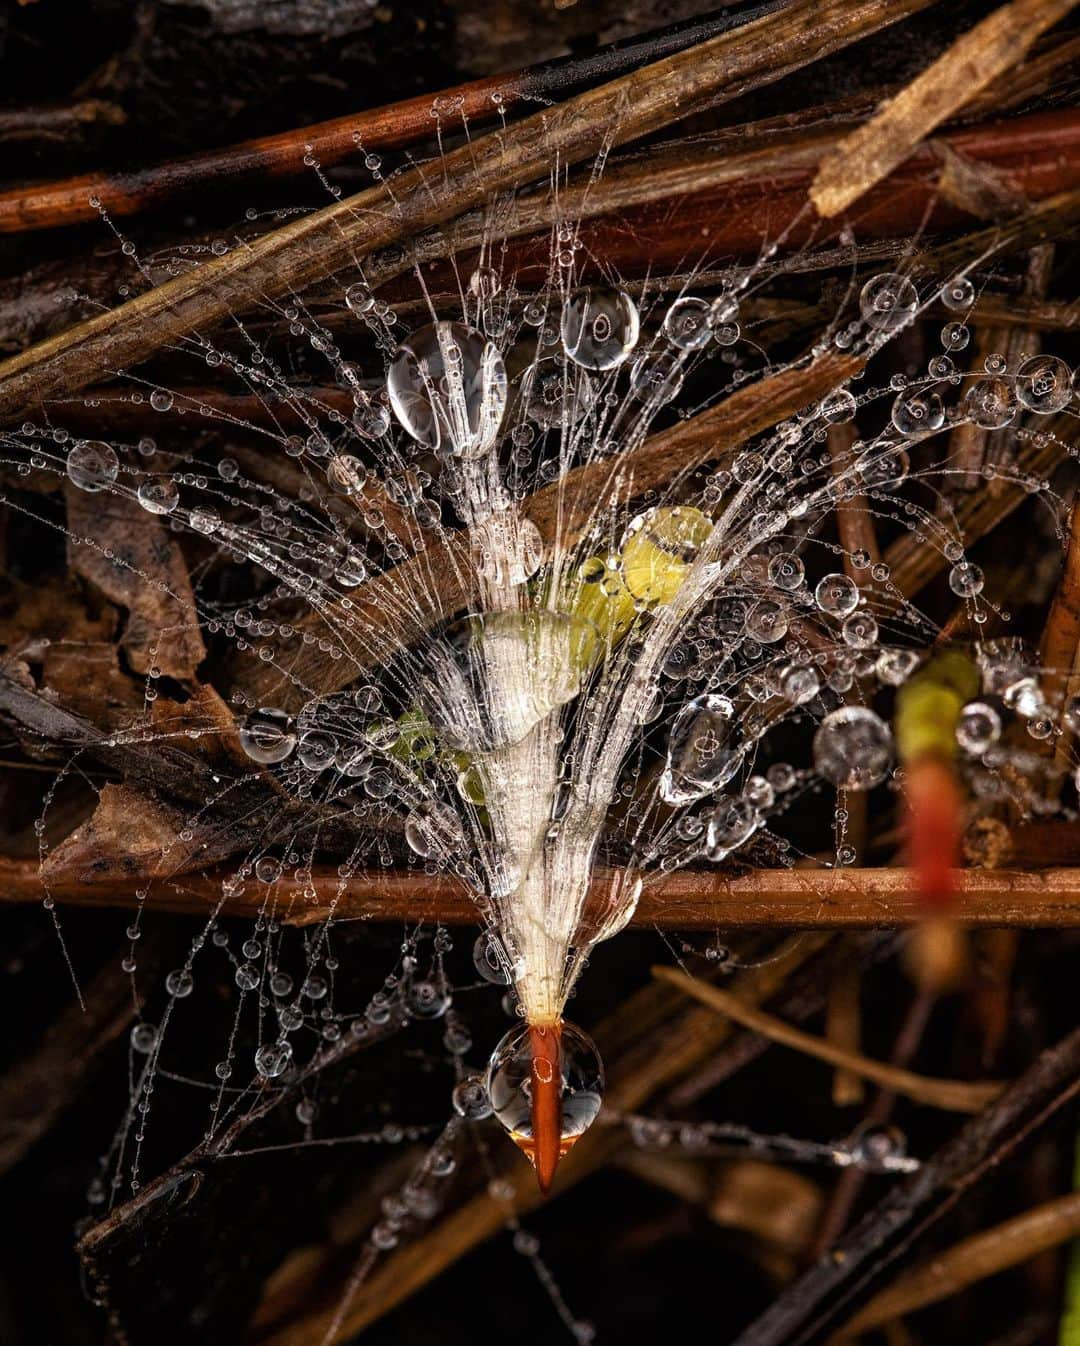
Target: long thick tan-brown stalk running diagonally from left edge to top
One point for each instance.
(312, 248)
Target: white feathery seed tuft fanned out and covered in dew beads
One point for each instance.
(608, 684)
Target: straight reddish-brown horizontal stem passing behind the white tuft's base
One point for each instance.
(685, 901)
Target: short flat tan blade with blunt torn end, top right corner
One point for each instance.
(992, 48)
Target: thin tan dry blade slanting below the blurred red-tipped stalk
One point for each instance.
(950, 1095)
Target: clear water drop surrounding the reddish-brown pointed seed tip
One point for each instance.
(516, 1071)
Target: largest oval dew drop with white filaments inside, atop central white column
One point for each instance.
(448, 387)
